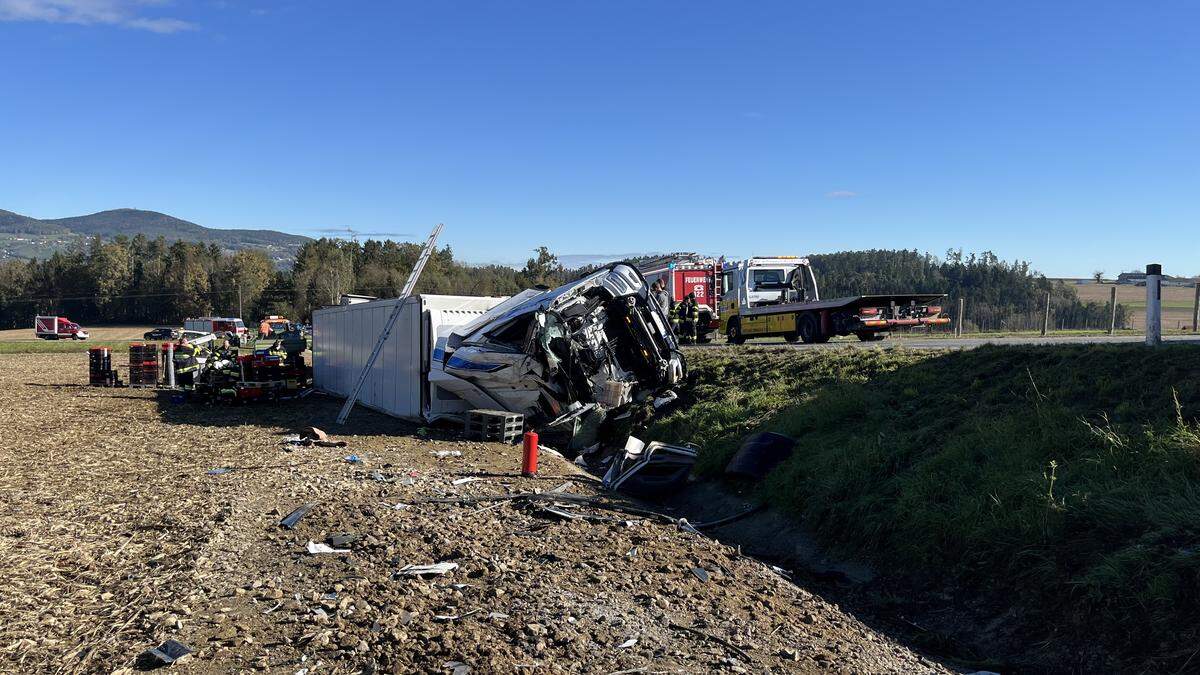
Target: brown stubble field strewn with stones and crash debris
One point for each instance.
(115, 537)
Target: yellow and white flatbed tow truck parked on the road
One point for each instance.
(767, 297)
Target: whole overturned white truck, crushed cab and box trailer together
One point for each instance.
(598, 342)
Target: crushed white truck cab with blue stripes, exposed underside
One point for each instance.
(598, 342)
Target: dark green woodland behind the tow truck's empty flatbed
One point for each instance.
(999, 295)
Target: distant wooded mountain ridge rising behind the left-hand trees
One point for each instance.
(23, 237)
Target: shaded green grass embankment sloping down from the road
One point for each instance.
(1064, 477)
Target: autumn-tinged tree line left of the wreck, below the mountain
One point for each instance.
(149, 282)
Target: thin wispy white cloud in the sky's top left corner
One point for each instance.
(92, 13)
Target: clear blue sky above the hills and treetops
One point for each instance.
(1067, 134)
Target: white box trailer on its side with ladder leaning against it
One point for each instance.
(344, 337)
